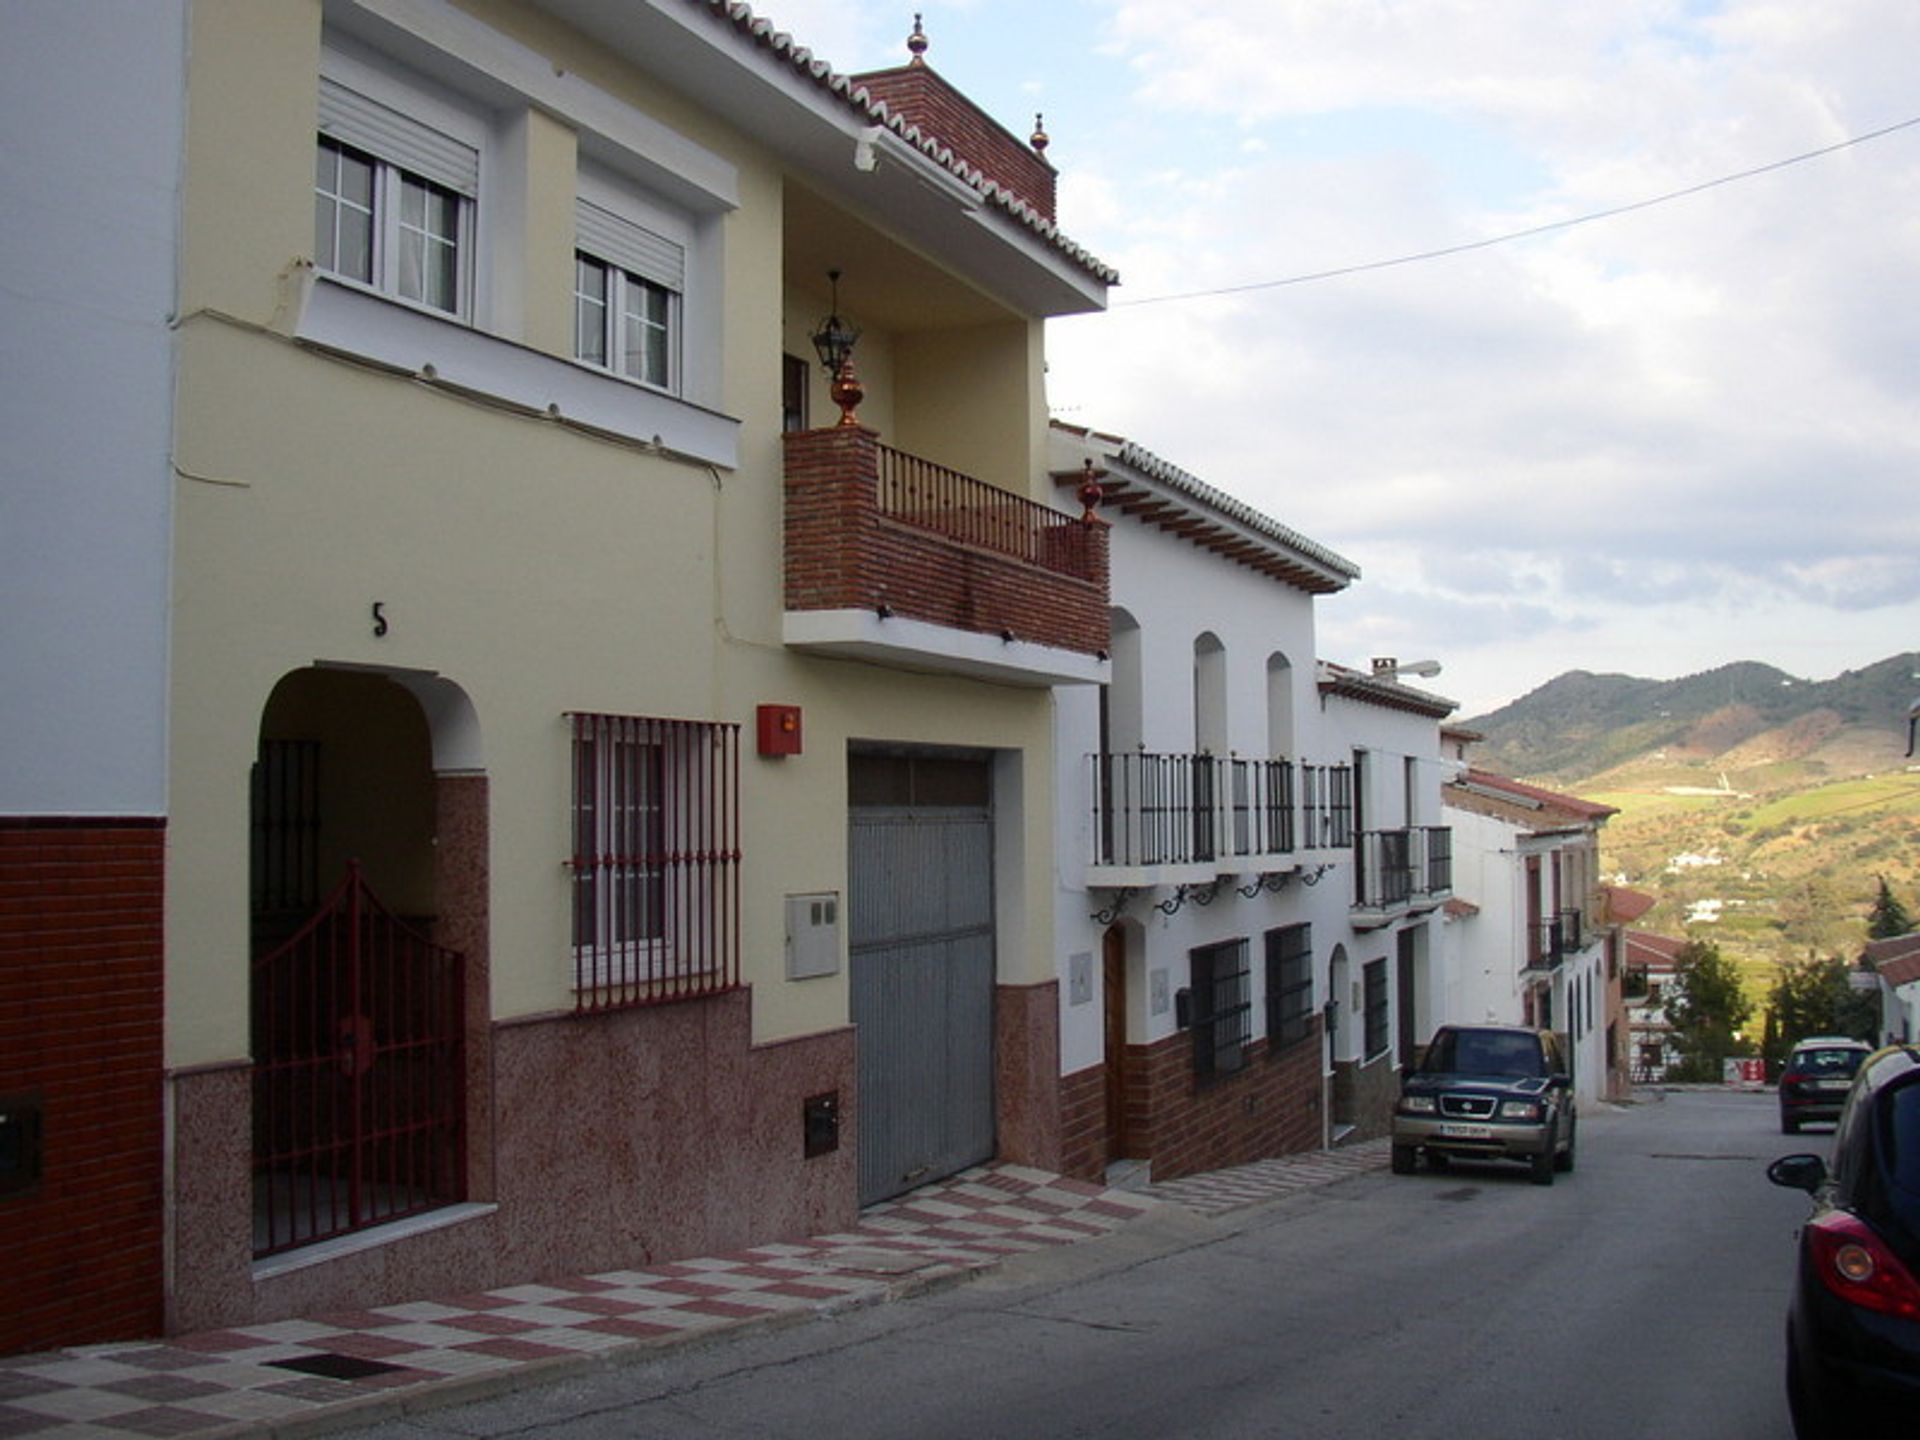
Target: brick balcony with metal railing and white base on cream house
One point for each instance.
(900, 562)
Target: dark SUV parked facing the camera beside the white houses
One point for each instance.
(1489, 1093)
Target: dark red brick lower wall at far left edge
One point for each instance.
(82, 1030)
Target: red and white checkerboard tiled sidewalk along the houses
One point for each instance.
(308, 1376)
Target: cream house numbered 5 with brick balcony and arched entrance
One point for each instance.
(496, 439)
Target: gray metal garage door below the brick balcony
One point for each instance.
(921, 955)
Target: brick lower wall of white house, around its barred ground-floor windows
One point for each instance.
(1188, 1126)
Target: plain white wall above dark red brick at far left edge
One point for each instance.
(91, 105)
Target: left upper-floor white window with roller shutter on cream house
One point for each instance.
(414, 137)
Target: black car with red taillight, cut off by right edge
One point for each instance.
(1854, 1326)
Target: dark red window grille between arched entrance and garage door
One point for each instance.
(656, 867)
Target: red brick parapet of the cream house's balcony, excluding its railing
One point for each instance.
(842, 554)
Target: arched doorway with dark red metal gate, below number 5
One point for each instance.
(368, 953)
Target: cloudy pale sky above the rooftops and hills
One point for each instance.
(1650, 444)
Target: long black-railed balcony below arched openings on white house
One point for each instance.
(1189, 819)
